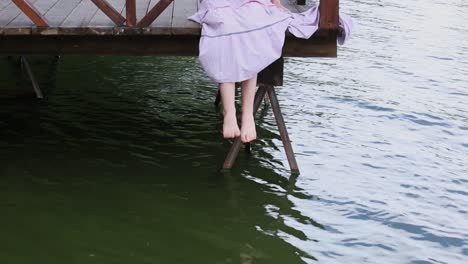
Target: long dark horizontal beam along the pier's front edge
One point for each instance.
(89, 42)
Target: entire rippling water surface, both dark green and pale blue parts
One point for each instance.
(120, 163)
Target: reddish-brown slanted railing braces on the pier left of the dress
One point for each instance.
(130, 20)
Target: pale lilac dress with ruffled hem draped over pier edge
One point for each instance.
(241, 37)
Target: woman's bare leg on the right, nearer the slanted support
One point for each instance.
(248, 132)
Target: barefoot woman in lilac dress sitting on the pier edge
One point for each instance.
(239, 39)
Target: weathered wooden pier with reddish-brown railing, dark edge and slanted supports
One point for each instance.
(145, 27)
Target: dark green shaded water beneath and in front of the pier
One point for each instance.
(107, 170)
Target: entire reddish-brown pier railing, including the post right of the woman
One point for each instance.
(329, 13)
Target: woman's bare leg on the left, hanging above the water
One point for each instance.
(230, 127)
